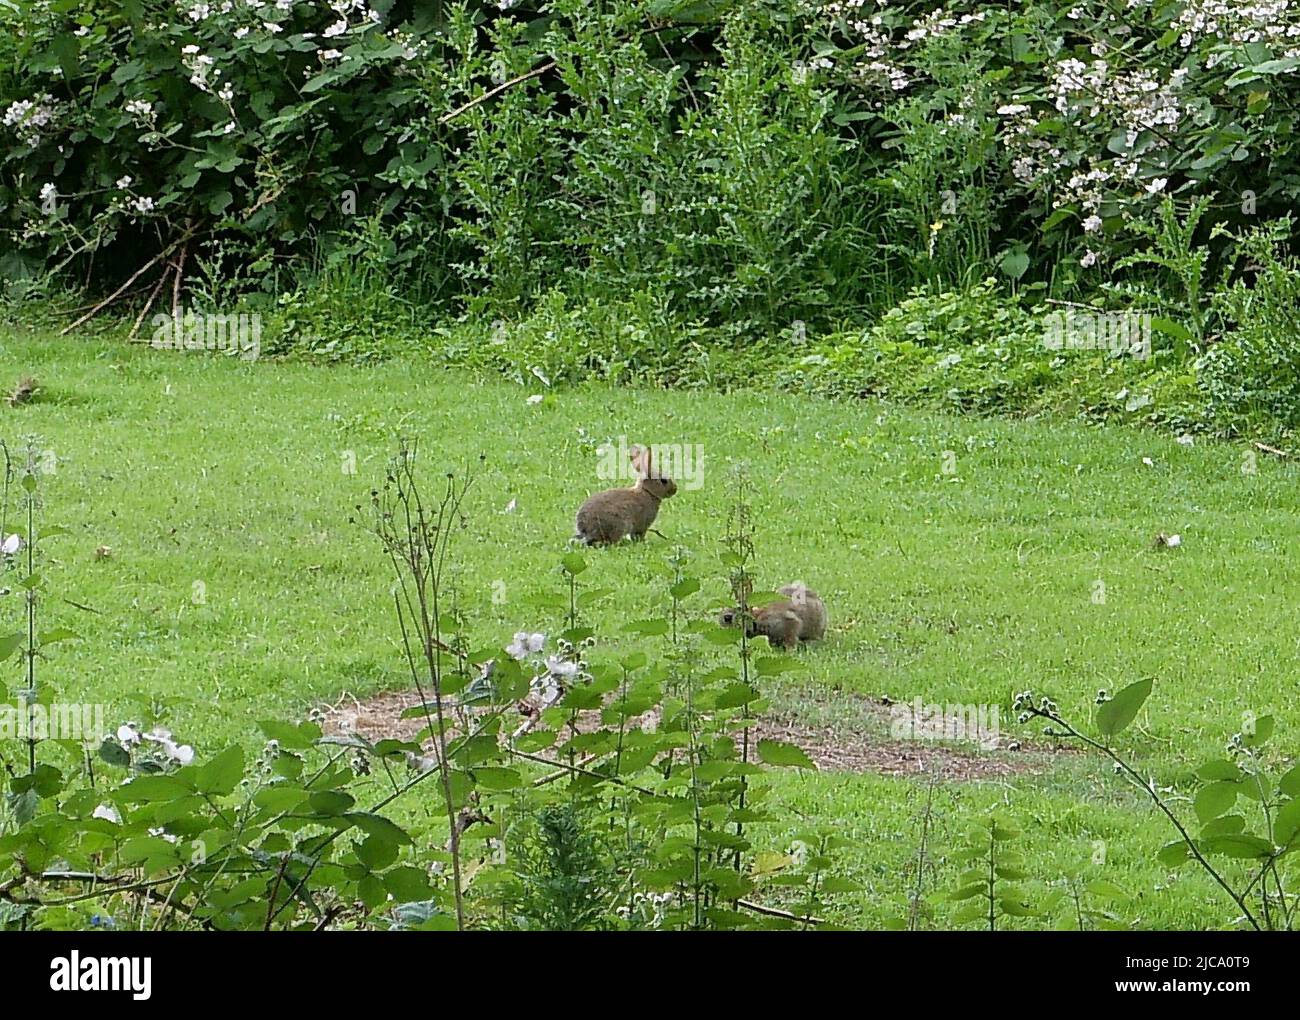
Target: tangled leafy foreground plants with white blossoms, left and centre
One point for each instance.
(569, 788)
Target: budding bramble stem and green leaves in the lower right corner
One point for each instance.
(1249, 814)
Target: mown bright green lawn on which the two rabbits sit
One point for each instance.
(227, 479)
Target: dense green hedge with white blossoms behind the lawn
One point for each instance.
(688, 193)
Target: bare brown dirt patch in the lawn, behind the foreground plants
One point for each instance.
(840, 732)
